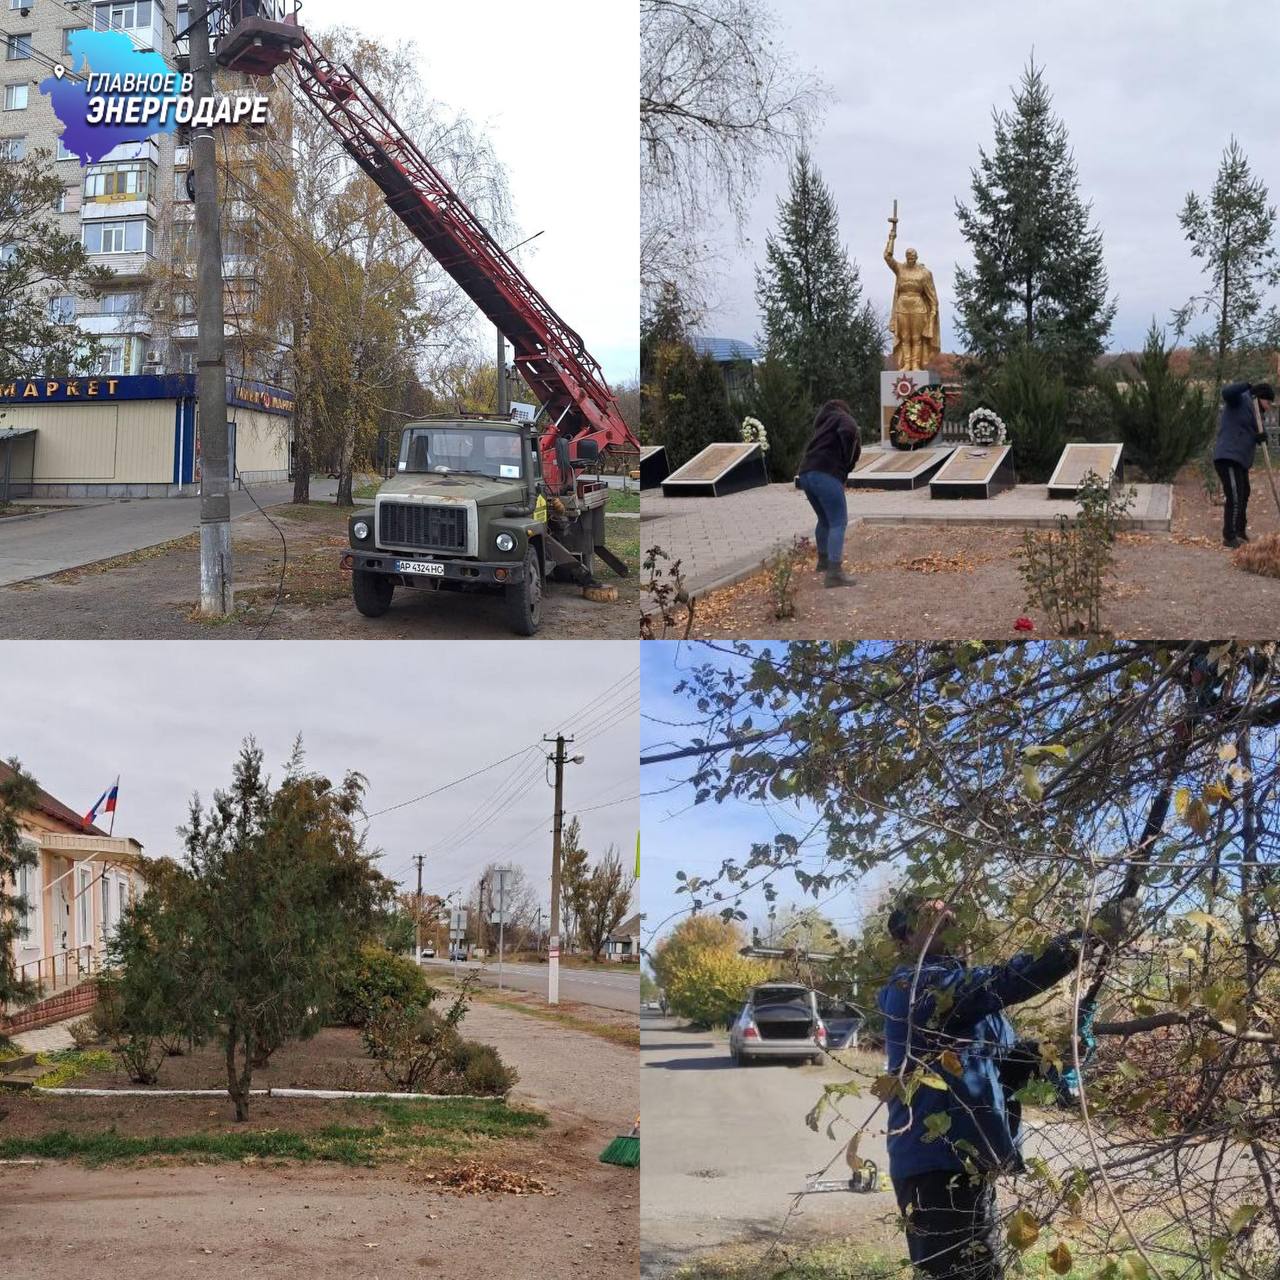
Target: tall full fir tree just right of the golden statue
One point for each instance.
(1039, 278)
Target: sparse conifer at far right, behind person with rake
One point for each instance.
(1233, 234)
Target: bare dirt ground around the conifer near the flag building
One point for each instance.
(216, 1222)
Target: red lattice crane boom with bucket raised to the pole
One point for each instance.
(548, 354)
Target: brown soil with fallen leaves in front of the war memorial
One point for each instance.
(926, 584)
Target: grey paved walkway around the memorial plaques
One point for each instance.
(723, 540)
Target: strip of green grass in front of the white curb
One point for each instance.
(396, 1131)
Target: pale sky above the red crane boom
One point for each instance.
(555, 88)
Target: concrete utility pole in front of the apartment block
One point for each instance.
(217, 595)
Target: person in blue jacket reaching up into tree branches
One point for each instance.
(949, 1146)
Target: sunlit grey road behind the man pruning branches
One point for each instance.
(725, 1149)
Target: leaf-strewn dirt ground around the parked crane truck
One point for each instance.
(152, 595)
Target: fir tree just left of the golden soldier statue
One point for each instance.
(811, 300)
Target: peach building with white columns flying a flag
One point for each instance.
(76, 893)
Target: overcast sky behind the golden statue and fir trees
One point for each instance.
(1150, 94)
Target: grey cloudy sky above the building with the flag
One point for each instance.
(170, 719)
